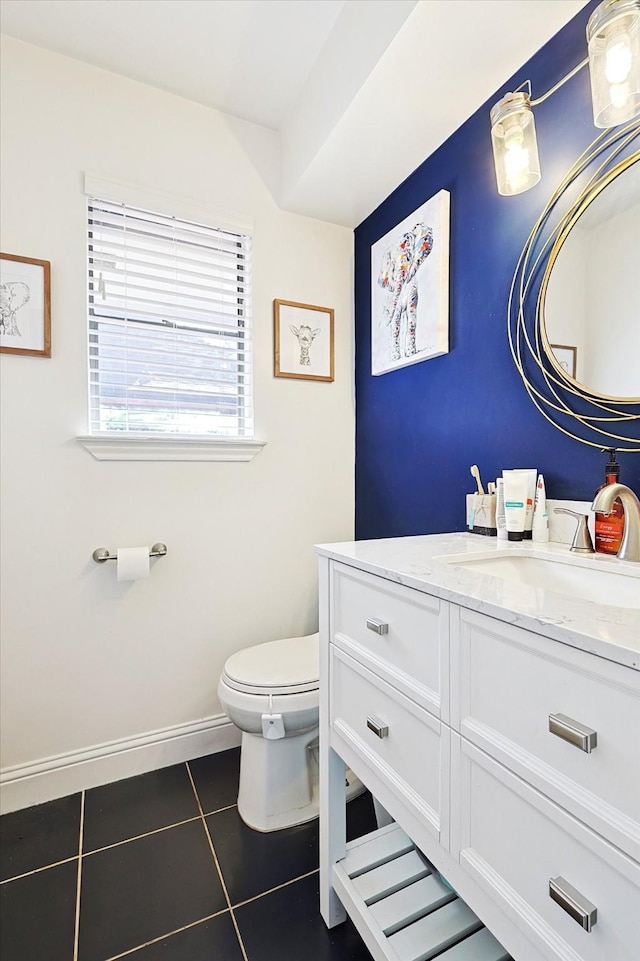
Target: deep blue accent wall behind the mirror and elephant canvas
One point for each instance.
(419, 428)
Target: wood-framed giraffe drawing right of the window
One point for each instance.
(303, 339)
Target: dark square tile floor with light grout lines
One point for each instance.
(161, 868)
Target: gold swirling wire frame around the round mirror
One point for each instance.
(583, 414)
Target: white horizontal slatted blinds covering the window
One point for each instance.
(169, 325)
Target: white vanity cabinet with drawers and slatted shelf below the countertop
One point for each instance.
(444, 713)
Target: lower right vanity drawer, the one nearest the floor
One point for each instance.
(513, 842)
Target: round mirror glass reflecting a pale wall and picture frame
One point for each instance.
(591, 309)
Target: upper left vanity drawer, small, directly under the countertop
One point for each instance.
(397, 632)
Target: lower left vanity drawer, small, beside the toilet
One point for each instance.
(394, 737)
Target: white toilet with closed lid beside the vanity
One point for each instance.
(270, 692)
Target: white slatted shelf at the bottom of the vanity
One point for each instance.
(401, 907)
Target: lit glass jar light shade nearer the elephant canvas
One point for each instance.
(515, 149)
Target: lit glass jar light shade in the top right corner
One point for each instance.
(613, 36)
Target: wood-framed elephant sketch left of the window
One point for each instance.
(25, 306)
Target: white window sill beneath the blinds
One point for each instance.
(168, 447)
